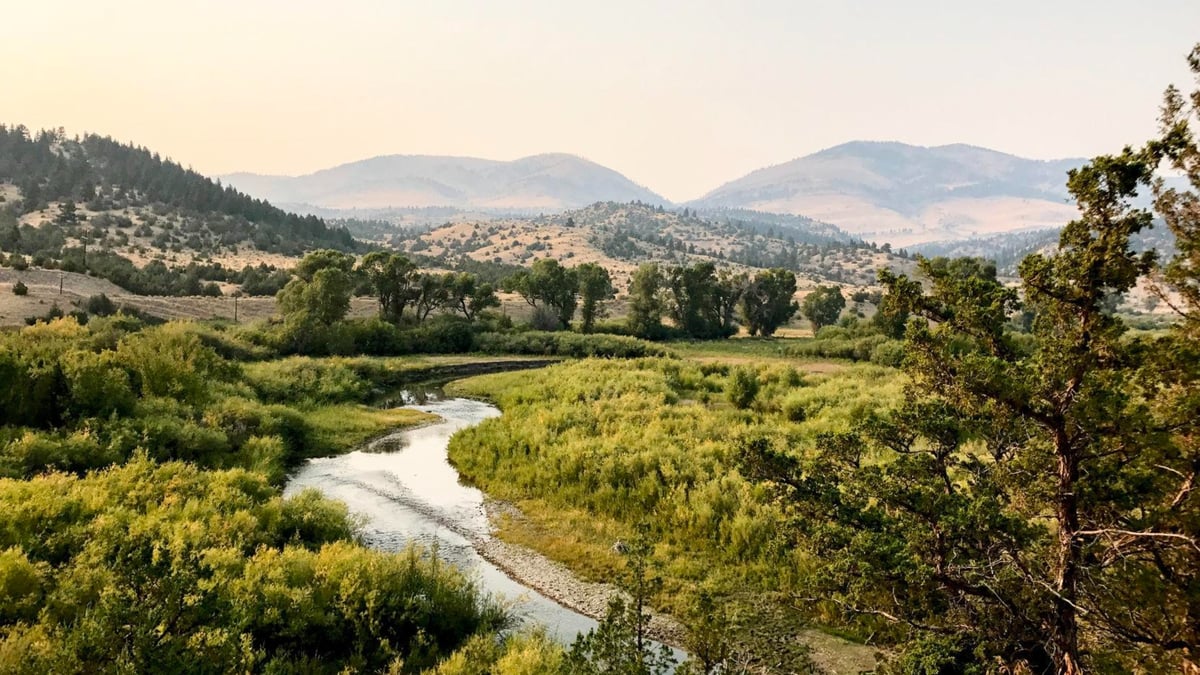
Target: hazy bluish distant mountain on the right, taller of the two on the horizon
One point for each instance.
(907, 194)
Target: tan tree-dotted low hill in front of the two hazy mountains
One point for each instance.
(622, 236)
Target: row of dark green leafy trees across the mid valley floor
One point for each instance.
(700, 301)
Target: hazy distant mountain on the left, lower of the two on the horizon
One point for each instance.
(539, 183)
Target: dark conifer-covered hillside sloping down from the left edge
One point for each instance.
(91, 205)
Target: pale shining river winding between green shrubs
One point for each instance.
(406, 492)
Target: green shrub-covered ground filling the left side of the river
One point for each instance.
(143, 528)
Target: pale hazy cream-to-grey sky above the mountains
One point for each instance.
(680, 97)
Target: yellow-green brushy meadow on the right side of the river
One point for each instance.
(590, 451)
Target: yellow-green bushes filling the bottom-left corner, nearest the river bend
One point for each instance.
(167, 568)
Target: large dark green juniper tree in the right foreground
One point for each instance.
(1031, 505)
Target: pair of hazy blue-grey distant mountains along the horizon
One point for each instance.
(884, 193)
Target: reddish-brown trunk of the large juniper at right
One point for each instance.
(1066, 620)
